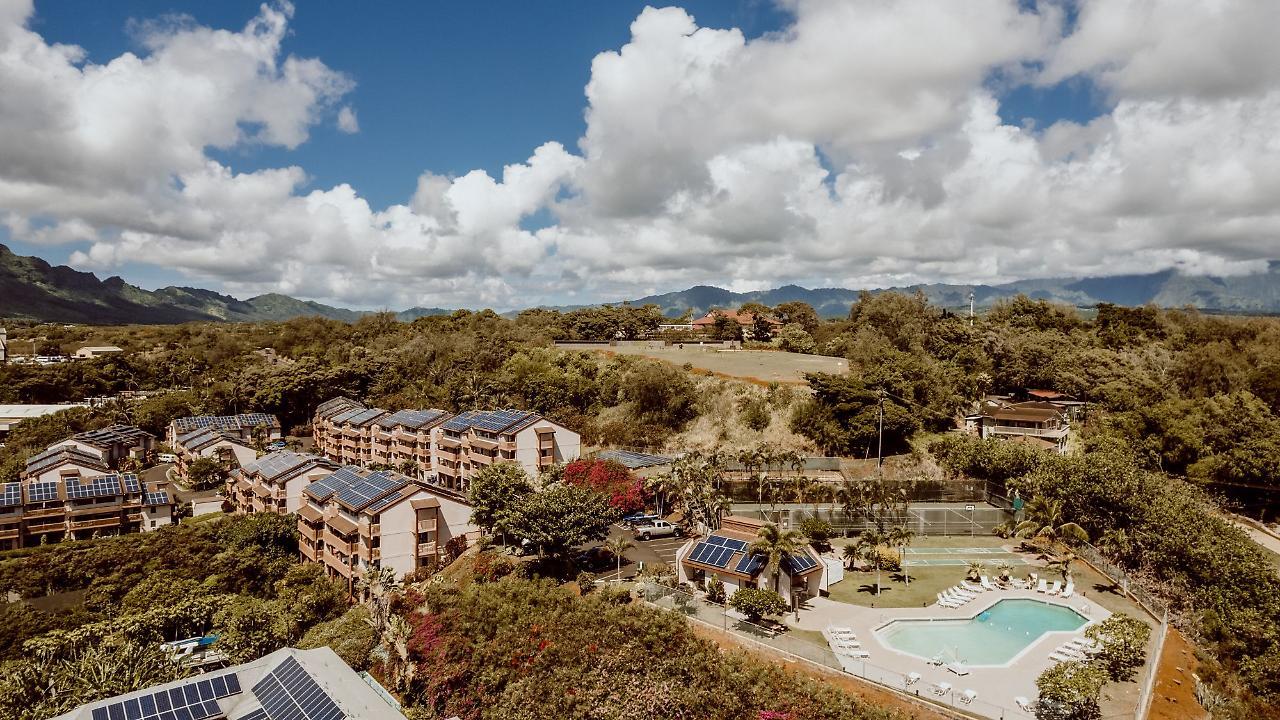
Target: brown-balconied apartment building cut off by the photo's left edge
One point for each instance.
(67, 493)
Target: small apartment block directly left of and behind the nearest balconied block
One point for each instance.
(275, 482)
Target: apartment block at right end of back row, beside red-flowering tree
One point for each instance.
(478, 439)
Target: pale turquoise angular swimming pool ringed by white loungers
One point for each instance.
(993, 637)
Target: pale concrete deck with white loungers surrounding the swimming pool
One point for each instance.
(996, 687)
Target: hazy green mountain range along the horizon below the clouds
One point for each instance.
(34, 290)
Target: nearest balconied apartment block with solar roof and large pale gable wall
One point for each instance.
(355, 521)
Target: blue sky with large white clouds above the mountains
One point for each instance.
(456, 88)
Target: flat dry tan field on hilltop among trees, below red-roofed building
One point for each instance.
(756, 366)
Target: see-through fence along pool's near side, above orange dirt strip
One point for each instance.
(717, 617)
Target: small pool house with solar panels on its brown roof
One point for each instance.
(726, 554)
